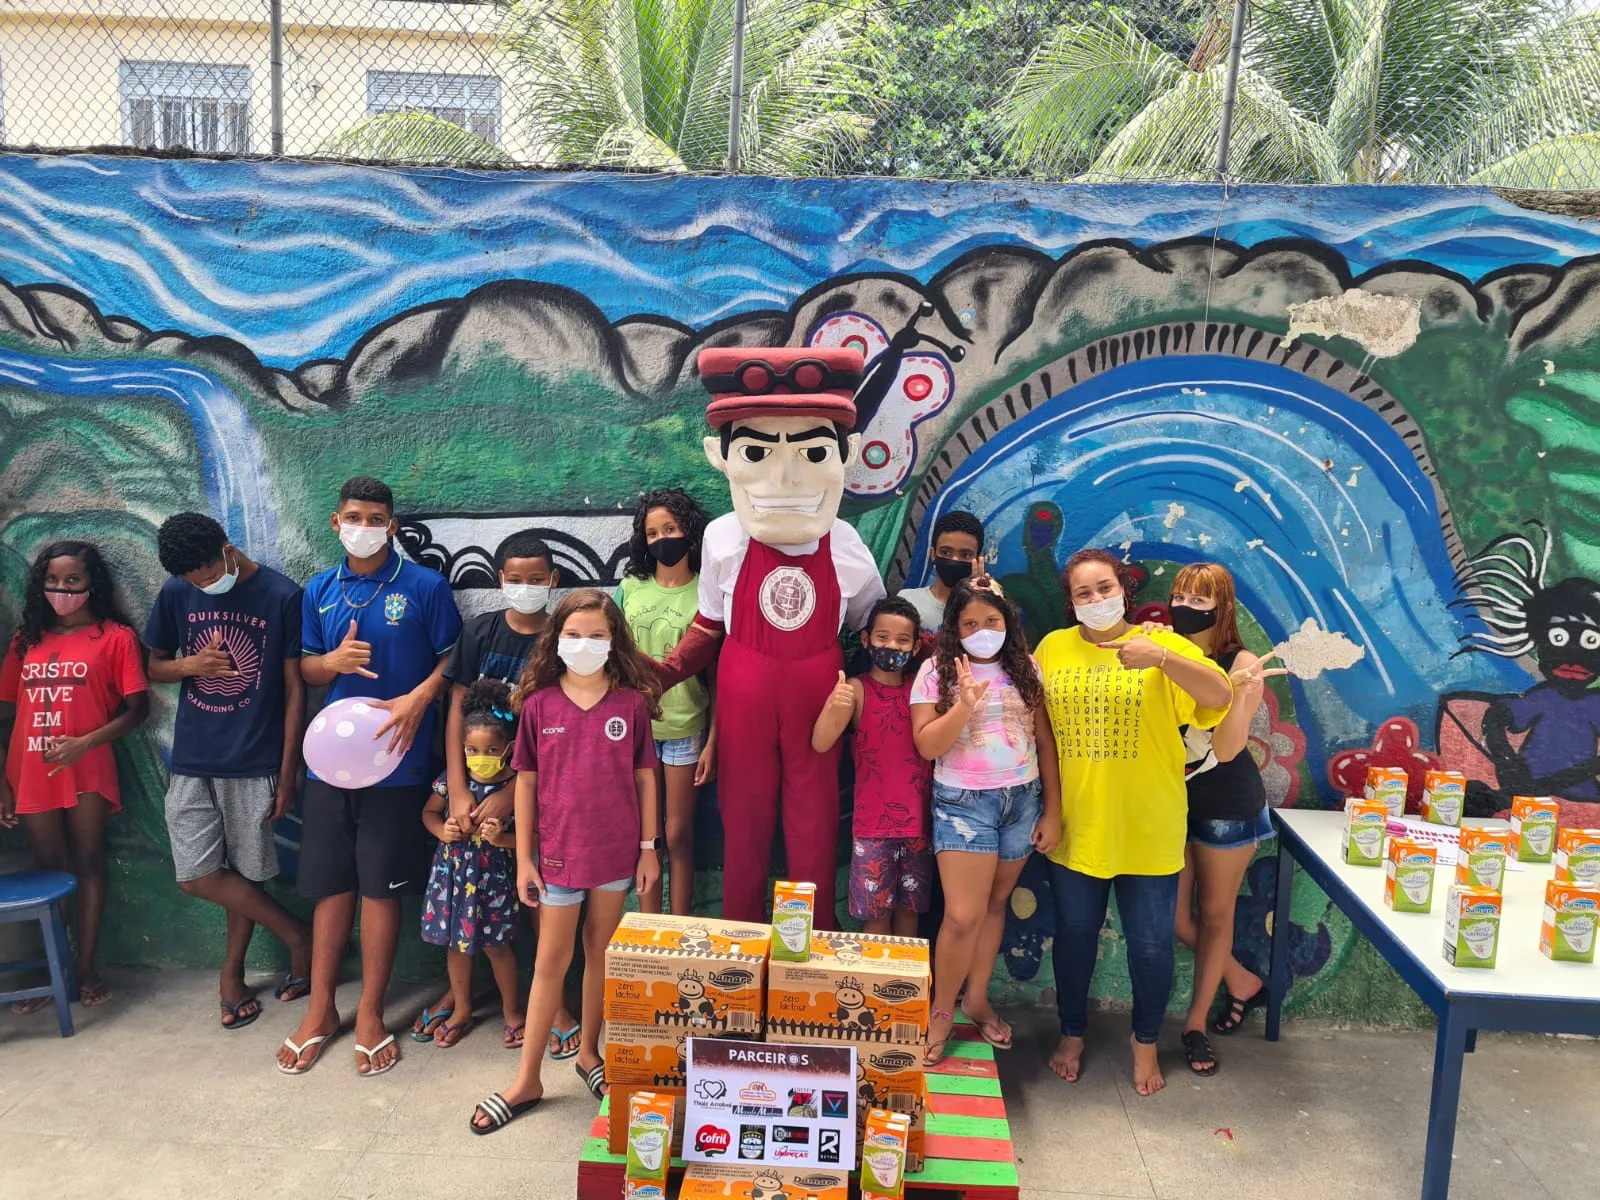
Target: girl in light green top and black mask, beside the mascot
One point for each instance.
(660, 598)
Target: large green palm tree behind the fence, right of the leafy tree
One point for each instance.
(1502, 92)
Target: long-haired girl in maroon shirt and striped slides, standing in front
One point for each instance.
(586, 818)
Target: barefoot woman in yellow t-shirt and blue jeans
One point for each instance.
(1116, 700)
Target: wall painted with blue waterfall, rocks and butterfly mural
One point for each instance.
(1377, 406)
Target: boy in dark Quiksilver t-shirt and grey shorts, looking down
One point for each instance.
(230, 633)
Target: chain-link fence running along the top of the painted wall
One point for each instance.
(1431, 92)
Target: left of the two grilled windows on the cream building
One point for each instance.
(199, 106)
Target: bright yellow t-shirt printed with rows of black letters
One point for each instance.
(1124, 804)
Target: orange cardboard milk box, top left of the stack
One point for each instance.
(694, 974)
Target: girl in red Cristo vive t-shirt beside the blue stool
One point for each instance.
(71, 684)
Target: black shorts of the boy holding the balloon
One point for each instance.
(369, 841)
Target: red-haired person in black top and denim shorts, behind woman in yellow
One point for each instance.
(1228, 812)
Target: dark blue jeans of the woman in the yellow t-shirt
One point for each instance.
(1148, 906)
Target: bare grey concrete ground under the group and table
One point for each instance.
(153, 1098)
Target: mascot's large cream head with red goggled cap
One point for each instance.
(783, 418)
